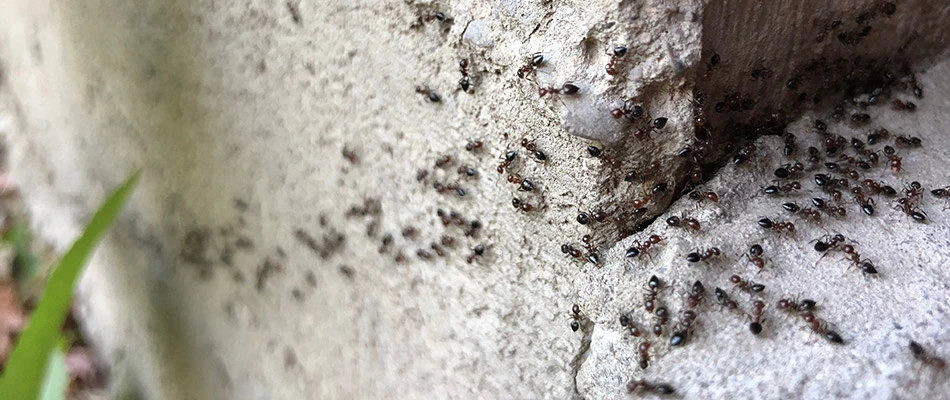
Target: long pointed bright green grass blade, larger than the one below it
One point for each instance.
(27, 364)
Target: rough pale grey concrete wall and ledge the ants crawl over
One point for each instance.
(282, 143)
